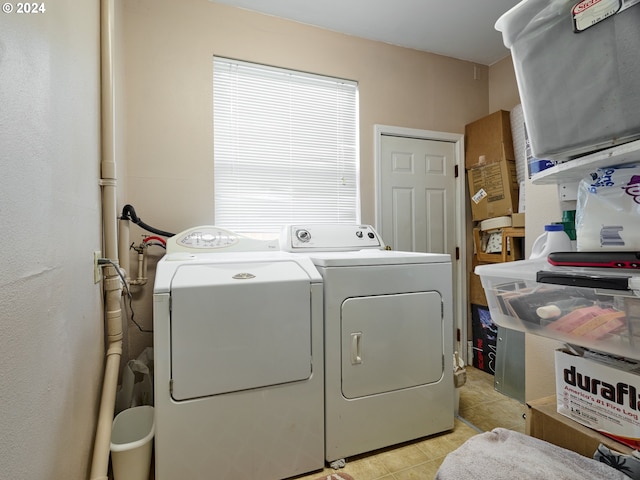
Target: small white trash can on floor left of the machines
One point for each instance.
(131, 443)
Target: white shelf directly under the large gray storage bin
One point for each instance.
(575, 170)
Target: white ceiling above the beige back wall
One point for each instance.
(462, 29)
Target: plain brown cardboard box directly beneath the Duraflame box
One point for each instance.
(544, 422)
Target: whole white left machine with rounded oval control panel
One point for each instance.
(238, 360)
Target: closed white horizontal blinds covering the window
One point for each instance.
(285, 148)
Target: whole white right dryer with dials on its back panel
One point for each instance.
(388, 338)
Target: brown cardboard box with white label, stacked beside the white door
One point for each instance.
(493, 190)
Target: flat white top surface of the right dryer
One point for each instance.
(375, 257)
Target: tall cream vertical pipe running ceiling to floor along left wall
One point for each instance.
(112, 284)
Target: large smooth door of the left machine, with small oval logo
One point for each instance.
(239, 326)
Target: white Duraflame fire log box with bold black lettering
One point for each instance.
(601, 392)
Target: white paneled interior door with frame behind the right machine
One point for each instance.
(420, 203)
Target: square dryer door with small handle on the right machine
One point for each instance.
(391, 342)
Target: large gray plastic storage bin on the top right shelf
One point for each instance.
(579, 90)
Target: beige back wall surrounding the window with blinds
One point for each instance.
(168, 145)
